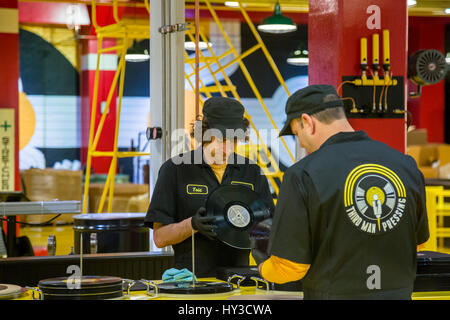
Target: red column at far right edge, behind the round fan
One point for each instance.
(428, 110)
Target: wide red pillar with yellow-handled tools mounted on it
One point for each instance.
(335, 28)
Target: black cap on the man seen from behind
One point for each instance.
(310, 100)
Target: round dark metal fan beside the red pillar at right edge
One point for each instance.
(426, 67)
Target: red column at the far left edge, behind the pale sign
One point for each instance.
(9, 74)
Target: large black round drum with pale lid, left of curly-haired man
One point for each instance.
(111, 232)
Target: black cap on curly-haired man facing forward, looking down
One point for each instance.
(224, 113)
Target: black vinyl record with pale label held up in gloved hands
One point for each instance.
(237, 209)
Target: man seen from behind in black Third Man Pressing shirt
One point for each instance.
(350, 215)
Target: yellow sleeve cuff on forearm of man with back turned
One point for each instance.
(279, 270)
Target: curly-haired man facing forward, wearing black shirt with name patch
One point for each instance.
(184, 182)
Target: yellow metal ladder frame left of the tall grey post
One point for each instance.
(126, 33)
